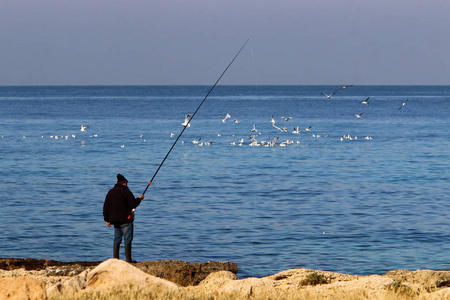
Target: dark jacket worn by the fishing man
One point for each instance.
(119, 203)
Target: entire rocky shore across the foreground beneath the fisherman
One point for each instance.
(117, 279)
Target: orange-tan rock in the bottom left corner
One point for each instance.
(17, 288)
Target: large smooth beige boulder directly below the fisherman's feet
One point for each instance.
(115, 273)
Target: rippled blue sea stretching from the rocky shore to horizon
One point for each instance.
(360, 206)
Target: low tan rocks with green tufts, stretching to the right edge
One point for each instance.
(313, 284)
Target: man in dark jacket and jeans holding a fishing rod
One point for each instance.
(118, 210)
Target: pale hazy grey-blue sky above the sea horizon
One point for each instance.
(190, 42)
